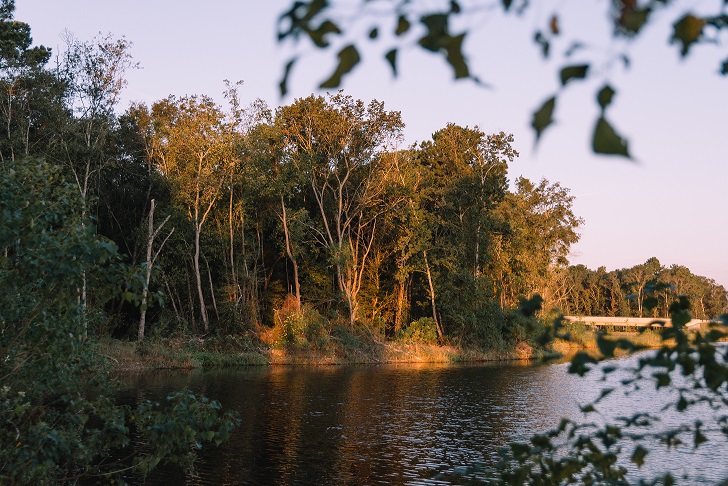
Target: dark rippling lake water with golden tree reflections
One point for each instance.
(398, 424)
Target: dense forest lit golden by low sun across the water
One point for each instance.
(234, 218)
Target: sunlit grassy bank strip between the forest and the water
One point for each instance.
(247, 350)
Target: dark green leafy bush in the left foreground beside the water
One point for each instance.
(60, 420)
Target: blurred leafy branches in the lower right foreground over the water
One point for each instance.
(689, 365)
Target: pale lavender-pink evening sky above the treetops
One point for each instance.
(668, 202)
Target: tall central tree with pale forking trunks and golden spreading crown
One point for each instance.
(337, 141)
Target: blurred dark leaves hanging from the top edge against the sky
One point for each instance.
(442, 28)
